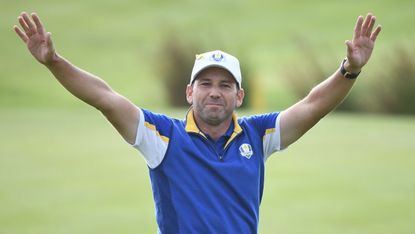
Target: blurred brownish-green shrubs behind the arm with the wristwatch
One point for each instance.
(390, 89)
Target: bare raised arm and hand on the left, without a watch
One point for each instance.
(122, 114)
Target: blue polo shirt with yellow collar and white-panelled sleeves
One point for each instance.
(198, 187)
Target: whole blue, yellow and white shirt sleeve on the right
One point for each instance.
(268, 127)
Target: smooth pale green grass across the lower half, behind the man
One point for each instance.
(67, 171)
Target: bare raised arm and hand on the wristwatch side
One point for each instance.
(299, 118)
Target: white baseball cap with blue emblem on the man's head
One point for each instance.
(220, 59)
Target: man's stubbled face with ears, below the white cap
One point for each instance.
(214, 96)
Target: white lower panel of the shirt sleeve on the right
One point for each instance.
(272, 139)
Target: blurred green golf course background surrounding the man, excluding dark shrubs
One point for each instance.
(63, 168)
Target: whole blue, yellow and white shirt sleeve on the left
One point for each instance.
(152, 138)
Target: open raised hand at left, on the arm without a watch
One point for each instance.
(34, 36)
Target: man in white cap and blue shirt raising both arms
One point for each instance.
(207, 170)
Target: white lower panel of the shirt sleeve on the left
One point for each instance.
(149, 143)
